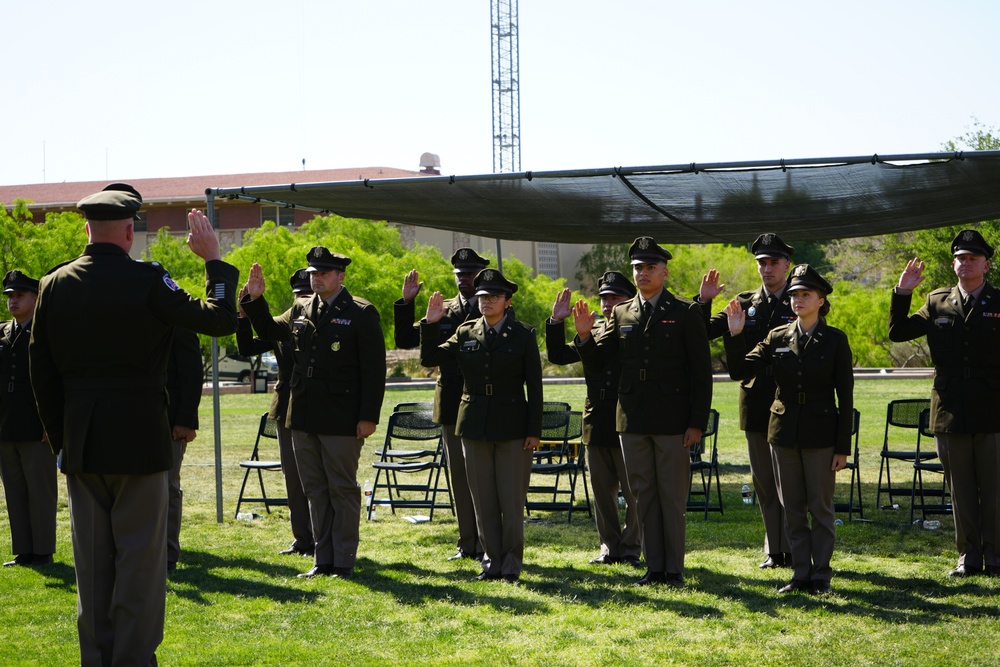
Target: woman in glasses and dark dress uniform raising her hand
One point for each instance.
(500, 415)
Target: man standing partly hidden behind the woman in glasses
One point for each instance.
(460, 308)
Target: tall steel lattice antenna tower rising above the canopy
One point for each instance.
(506, 87)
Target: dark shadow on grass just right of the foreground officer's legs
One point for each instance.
(202, 573)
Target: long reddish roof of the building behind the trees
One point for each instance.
(187, 188)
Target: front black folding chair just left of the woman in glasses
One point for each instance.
(420, 466)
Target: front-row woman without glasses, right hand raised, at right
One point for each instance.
(809, 432)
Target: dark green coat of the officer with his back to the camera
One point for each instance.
(100, 341)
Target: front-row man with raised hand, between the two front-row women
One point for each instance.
(664, 398)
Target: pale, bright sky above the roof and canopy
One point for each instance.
(119, 90)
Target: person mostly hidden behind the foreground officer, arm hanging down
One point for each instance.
(185, 377)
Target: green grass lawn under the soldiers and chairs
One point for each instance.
(235, 601)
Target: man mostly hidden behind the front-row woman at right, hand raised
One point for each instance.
(766, 308)
